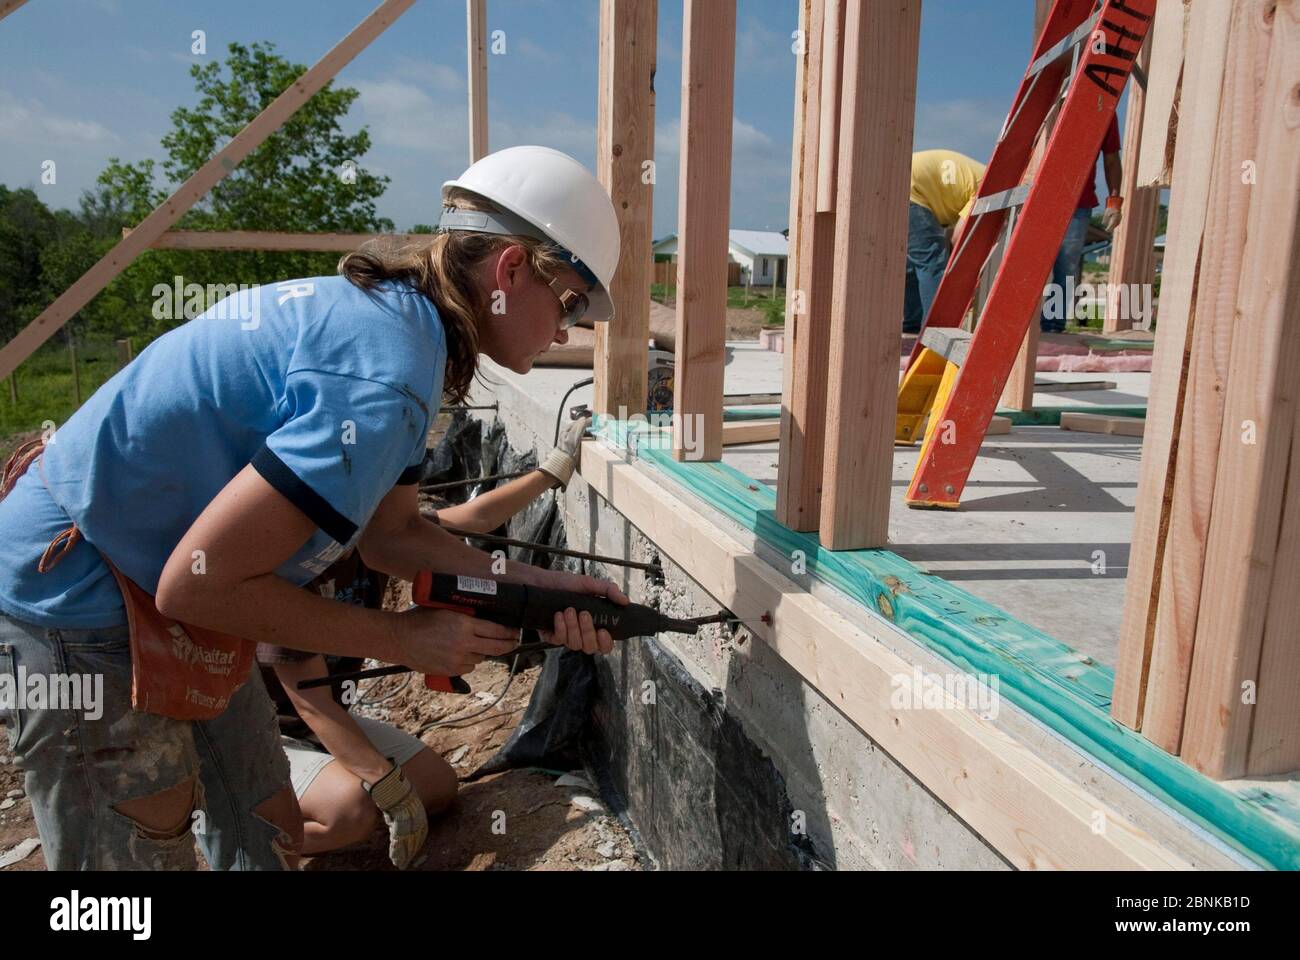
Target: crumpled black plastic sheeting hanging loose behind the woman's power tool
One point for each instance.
(551, 733)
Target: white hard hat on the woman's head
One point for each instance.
(552, 197)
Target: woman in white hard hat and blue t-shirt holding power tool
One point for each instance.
(167, 529)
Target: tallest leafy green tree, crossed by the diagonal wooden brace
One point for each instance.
(306, 178)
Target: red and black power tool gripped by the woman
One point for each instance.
(521, 606)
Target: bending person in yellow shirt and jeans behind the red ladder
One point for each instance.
(943, 191)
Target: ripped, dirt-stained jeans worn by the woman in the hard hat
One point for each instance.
(86, 751)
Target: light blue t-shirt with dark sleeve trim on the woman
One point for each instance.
(327, 390)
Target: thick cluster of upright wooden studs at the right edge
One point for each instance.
(1210, 659)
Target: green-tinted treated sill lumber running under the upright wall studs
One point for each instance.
(1056, 685)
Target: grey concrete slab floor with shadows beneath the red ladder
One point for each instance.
(1046, 520)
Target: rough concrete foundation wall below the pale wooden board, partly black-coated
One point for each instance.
(723, 755)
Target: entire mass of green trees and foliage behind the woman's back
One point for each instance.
(309, 176)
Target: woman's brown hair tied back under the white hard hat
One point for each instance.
(443, 270)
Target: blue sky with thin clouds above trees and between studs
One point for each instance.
(86, 80)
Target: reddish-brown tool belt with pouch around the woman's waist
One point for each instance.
(179, 671)
